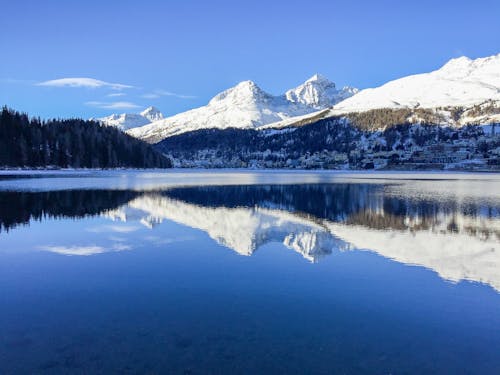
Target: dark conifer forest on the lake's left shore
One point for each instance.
(71, 143)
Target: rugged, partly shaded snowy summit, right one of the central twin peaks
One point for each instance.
(319, 92)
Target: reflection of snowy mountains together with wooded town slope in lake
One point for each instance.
(457, 238)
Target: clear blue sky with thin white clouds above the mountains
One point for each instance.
(176, 55)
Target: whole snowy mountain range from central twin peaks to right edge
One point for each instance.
(463, 91)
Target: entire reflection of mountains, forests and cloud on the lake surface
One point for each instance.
(457, 236)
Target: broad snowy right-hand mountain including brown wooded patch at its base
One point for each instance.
(462, 92)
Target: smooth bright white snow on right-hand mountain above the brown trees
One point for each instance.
(460, 82)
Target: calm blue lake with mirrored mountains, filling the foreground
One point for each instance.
(249, 273)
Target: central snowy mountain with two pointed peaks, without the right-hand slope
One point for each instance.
(247, 106)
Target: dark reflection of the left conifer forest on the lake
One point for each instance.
(18, 208)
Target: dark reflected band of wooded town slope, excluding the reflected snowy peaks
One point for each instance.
(369, 205)
